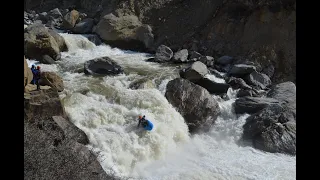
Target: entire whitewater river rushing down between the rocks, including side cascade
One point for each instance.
(106, 109)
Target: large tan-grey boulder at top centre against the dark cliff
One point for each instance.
(125, 32)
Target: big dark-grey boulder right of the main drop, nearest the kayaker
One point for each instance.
(193, 102)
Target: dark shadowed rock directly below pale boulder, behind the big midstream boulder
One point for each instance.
(213, 87)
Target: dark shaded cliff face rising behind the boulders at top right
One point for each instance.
(260, 31)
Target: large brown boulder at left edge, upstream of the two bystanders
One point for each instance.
(38, 42)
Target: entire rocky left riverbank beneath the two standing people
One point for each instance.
(54, 148)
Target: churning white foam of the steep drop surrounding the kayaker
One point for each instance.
(111, 126)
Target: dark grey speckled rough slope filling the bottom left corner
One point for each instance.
(48, 155)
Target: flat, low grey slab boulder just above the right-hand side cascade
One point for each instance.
(252, 104)
